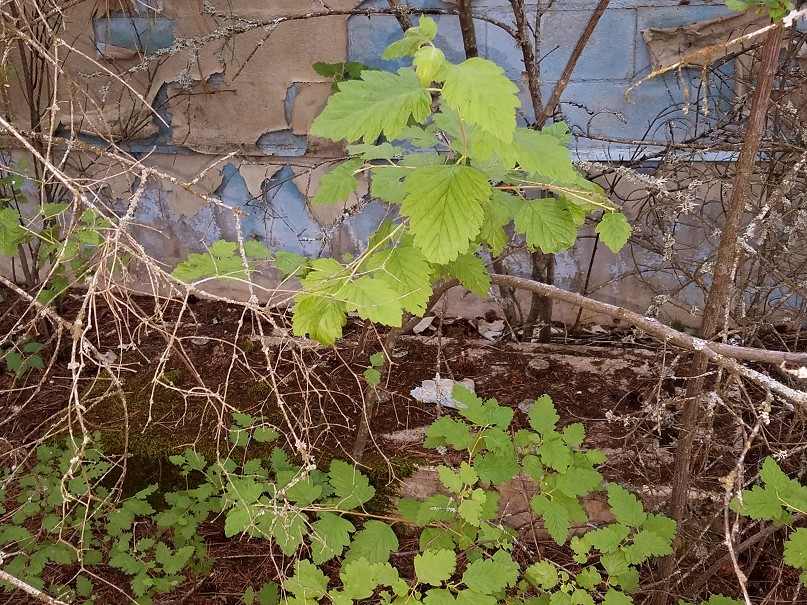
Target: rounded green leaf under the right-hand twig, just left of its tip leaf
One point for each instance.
(547, 224)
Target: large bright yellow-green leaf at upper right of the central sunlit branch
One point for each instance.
(483, 96)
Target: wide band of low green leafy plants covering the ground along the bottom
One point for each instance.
(63, 516)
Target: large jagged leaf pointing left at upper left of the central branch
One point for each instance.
(378, 103)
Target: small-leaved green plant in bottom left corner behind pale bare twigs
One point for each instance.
(78, 522)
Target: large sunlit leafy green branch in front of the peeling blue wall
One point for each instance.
(439, 142)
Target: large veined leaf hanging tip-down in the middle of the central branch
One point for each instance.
(444, 204)
